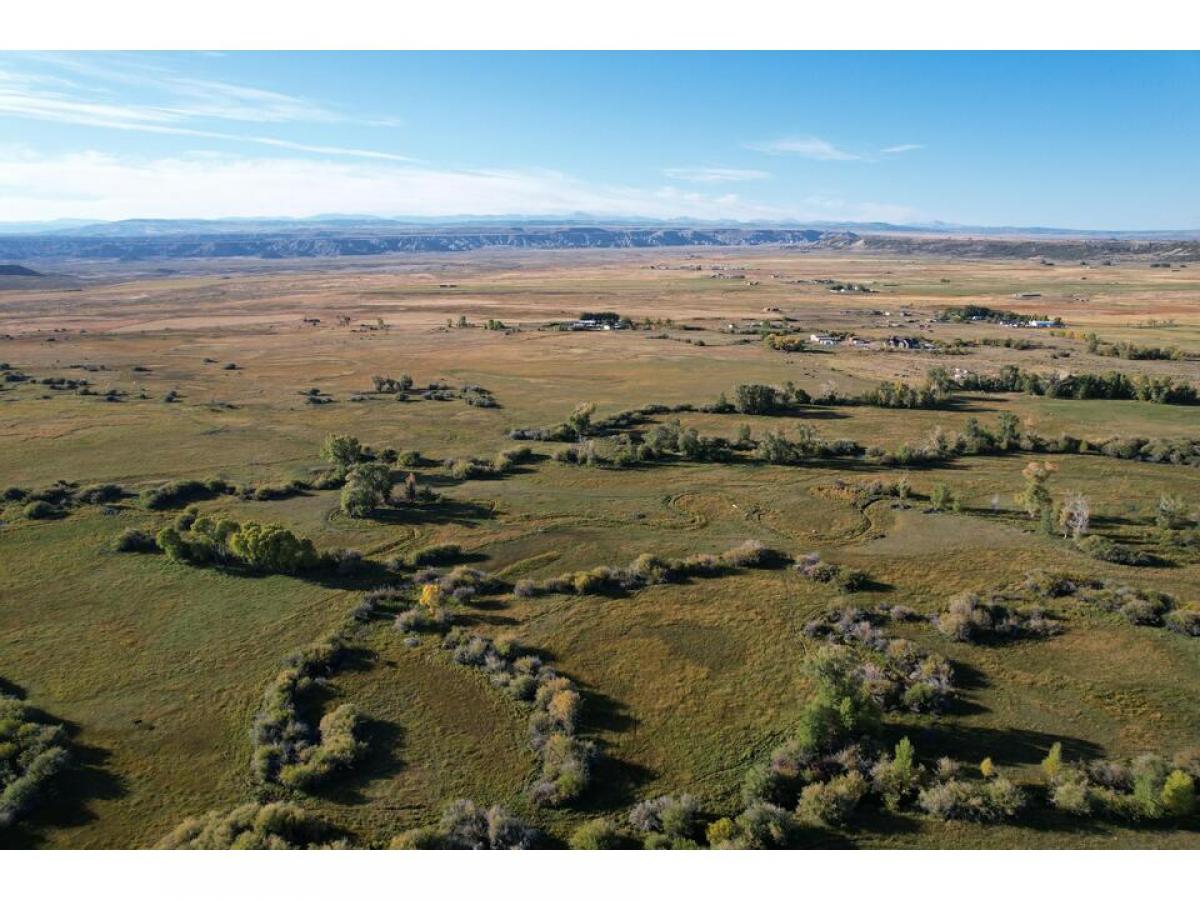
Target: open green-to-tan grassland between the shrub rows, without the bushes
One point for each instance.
(158, 668)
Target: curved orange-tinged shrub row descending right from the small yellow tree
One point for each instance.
(566, 759)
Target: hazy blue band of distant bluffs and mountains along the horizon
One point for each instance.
(143, 241)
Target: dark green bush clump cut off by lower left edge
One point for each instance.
(32, 755)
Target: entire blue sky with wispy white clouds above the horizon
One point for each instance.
(1084, 141)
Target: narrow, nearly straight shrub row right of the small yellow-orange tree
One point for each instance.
(650, 569)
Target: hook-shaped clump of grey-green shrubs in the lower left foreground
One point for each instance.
(287, 749)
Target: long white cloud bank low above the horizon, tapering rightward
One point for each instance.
(93, 185)
